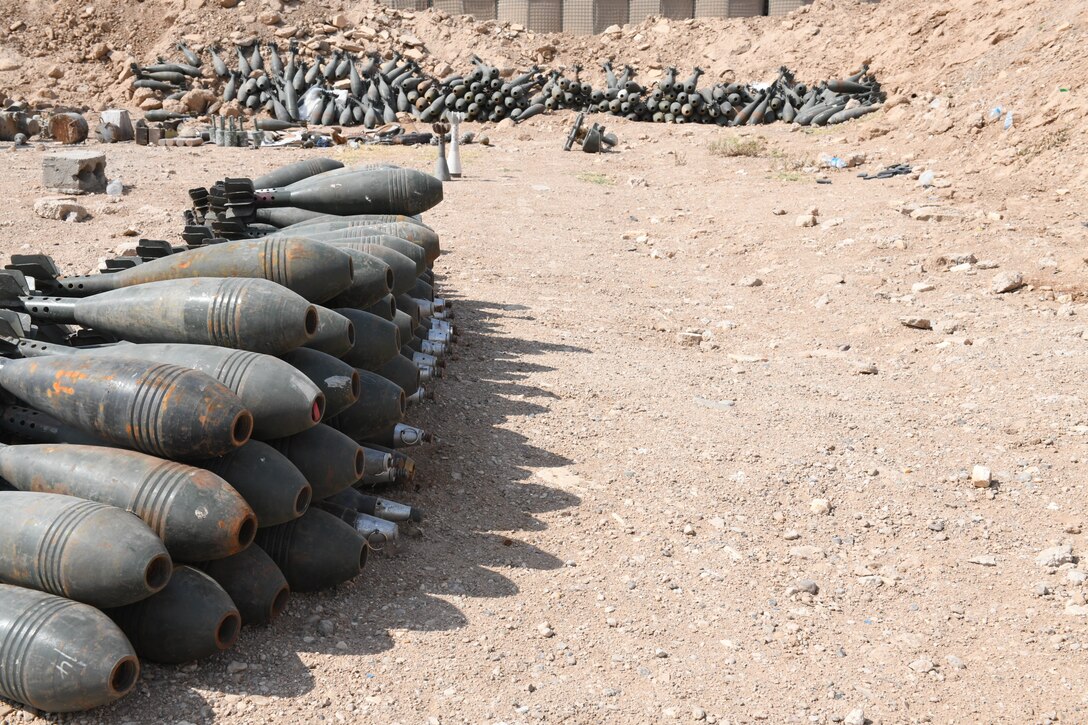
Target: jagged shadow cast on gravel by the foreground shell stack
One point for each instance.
(475, 487)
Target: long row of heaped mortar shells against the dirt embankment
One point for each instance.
(341, 91)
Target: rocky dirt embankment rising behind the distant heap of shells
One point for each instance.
(948, 65)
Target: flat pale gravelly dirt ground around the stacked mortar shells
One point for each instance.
(667, 493)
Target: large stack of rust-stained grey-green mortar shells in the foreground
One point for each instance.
(199, 432)
